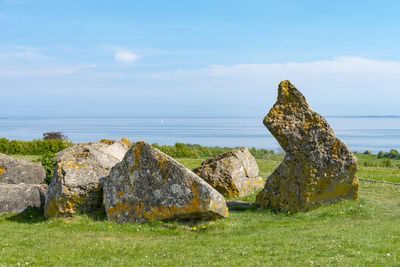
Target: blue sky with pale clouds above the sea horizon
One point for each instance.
(197, 58)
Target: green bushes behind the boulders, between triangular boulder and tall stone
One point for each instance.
(197, 151)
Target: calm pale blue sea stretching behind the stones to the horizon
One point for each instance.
(359, 133)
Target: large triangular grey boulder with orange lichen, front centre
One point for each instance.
(148, 185)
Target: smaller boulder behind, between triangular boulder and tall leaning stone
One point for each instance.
(234, 173)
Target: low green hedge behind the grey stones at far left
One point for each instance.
(35, 147)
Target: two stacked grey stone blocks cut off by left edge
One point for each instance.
(22, 185)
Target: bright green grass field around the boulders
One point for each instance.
(349, 233)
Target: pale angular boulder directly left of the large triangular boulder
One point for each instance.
(75, 185)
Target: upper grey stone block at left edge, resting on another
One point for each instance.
(15, 171)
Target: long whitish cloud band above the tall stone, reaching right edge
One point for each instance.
(337, 66)
